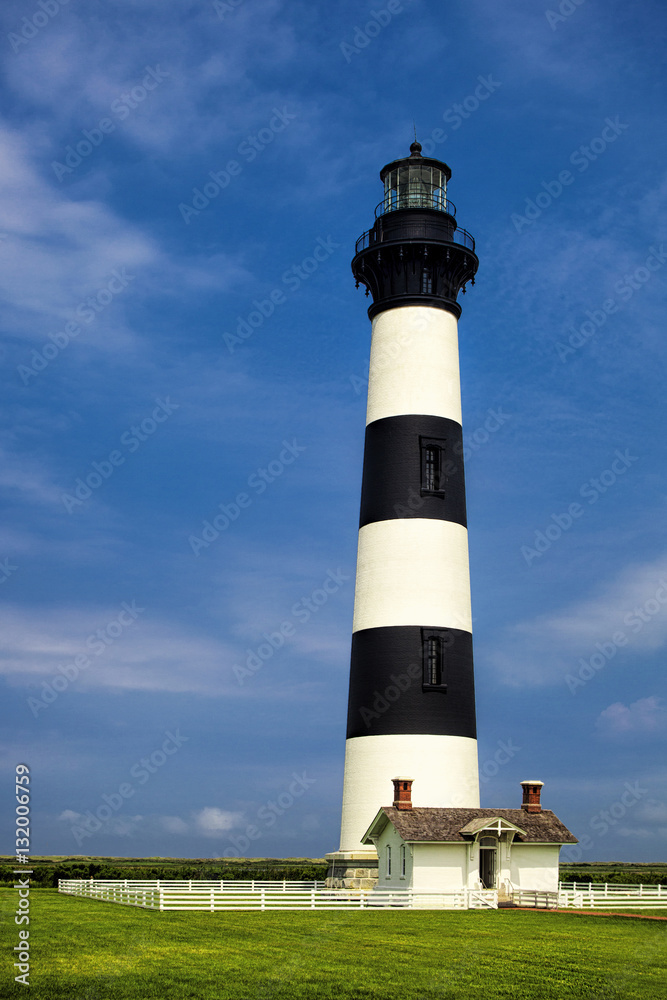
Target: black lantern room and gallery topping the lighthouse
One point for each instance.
(415, 254)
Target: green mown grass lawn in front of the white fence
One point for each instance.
(88, 950)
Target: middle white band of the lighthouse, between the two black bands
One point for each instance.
(412, 571)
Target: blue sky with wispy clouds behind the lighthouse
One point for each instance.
(181, 188)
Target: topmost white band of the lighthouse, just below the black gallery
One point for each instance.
(414, 365)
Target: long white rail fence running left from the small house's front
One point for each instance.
(236, 895)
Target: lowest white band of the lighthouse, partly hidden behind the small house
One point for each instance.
(444, 770)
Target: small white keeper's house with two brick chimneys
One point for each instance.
(445, 850)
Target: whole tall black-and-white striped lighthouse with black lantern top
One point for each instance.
(411, 702)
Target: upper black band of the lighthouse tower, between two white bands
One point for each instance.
(393, 479)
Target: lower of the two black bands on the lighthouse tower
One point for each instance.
(387, 691)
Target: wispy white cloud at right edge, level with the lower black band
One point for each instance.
(544, 649)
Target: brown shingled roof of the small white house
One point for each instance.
(446, 824)
